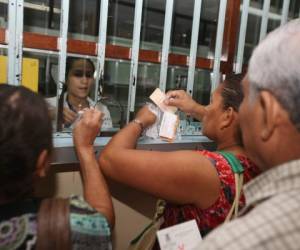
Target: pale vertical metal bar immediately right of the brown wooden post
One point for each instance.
(242, 36)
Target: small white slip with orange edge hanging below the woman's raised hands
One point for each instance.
(168, 126)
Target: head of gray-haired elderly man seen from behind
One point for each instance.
(270, 112)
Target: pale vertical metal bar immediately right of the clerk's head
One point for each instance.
(101, 49)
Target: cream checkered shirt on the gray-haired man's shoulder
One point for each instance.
(272, 224)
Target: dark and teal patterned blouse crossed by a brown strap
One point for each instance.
(18, 225)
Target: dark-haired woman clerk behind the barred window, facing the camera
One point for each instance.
(74, 96)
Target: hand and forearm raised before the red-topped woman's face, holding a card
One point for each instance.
(185, 103)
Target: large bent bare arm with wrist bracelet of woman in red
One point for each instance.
(184, 177)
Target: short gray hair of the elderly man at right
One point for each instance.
(275, 67)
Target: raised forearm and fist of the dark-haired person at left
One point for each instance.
(96, 192)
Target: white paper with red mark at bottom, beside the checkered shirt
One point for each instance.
(184, 236)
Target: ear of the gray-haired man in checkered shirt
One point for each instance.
(271, 112)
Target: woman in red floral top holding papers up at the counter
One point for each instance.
(197, 184)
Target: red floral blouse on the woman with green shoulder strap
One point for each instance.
(209, 218)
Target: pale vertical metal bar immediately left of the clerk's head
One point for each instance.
(62, 46)
